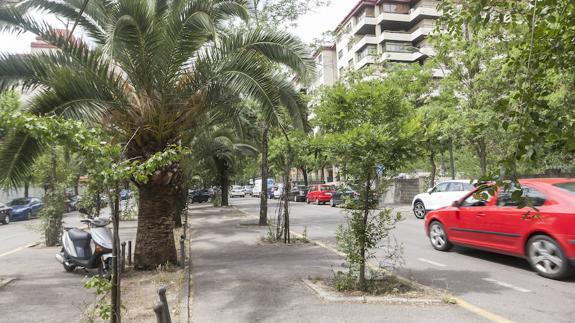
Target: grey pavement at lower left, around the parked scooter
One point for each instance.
(41, 290)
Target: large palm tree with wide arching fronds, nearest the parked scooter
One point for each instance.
(151, 76)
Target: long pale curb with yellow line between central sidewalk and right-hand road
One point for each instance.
(458, 301)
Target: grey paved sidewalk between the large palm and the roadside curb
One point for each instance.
(236, 279)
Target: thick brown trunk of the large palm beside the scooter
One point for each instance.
(155, 238)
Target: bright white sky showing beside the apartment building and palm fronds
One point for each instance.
(308, 27)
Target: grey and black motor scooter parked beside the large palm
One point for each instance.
(88, 250)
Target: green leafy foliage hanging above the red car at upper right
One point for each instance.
(536, 59)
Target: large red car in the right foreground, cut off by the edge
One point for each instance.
(547, 241)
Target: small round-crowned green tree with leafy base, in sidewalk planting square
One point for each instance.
(367, 124)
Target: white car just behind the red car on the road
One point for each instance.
(443, 194)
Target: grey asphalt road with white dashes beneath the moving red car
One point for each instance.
(503, 285)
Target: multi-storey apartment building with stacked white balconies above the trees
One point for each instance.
(390, 30)
